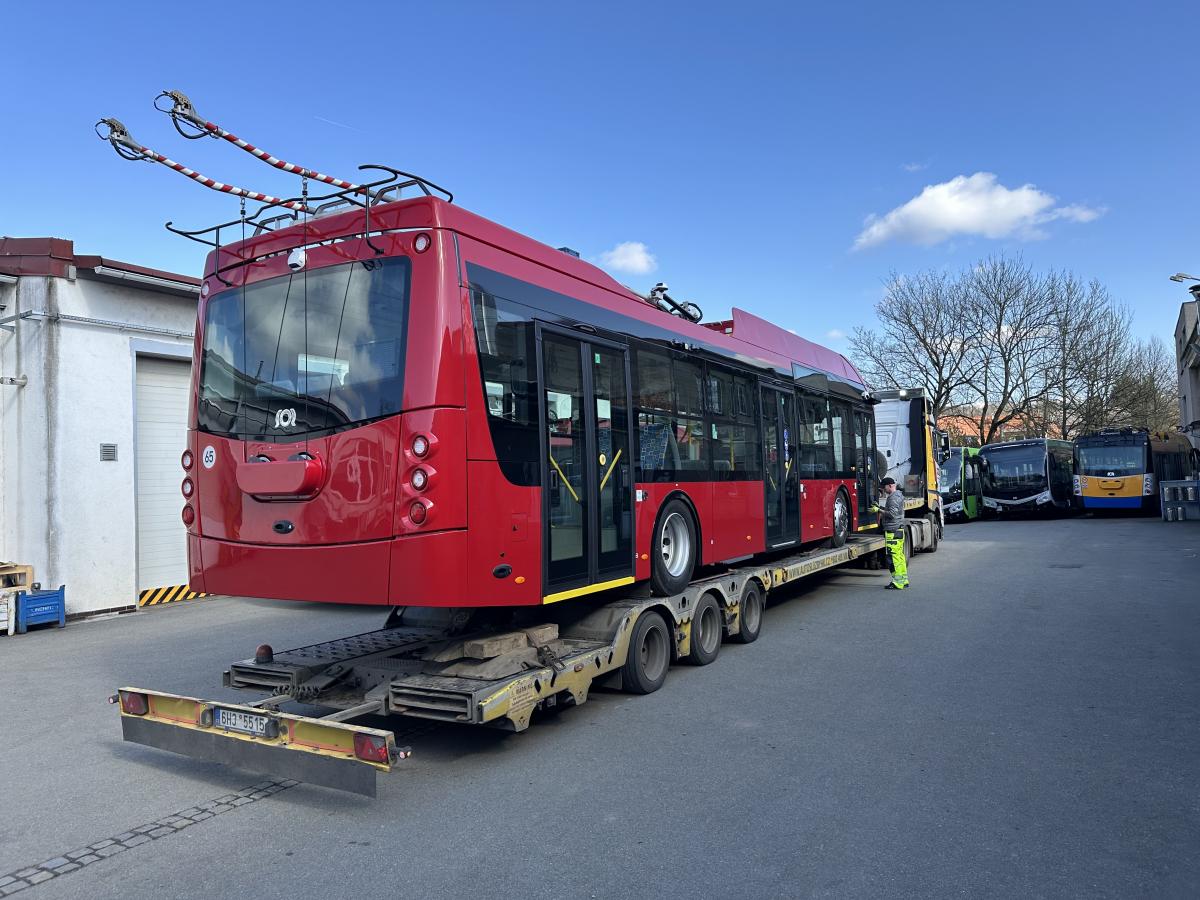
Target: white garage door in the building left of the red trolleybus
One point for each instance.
(163, 388)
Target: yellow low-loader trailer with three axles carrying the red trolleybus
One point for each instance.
(484, 667)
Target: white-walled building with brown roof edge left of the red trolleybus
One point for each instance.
(95, 365)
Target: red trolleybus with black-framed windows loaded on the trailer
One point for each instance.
(411, 405)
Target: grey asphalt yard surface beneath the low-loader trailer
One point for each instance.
(1024, 722)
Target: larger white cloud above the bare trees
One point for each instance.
(970, 206)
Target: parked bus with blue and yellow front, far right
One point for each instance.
(1120, 469)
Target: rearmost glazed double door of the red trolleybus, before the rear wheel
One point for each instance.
(587, 476)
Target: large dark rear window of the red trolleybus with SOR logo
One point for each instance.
(307, 353)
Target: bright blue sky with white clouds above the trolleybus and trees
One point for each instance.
(745, 147)
